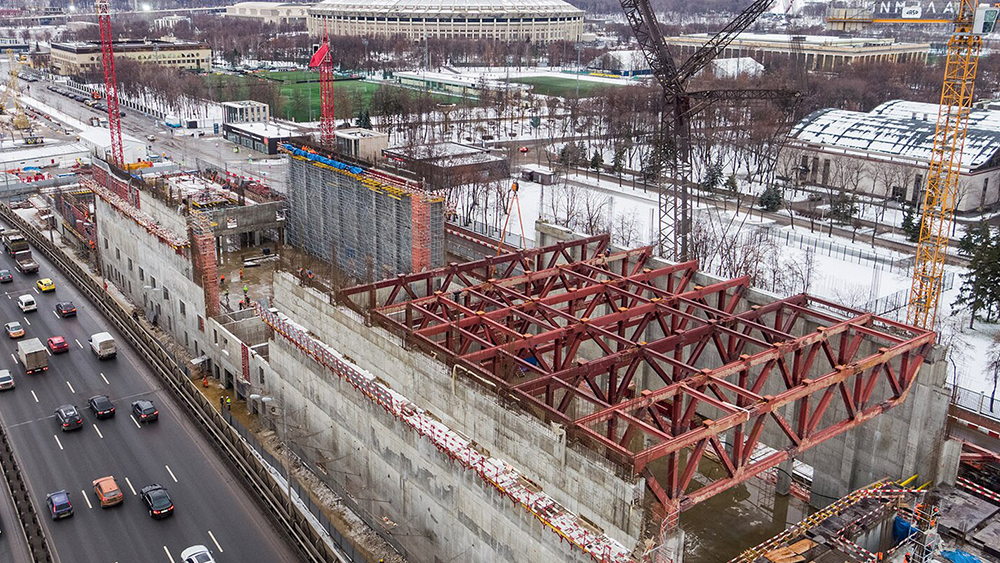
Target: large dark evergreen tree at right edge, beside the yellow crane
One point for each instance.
(979, 292)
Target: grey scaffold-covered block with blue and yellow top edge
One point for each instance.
(370, 223)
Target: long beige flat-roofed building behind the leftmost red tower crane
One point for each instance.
(80, 57)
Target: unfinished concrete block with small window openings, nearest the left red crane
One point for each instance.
(160, 242)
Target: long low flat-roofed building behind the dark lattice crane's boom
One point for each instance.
(817, 52)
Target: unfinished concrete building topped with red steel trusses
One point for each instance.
(584, 393)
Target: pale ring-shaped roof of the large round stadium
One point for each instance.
(456, 7)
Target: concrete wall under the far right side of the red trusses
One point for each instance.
(906, 440)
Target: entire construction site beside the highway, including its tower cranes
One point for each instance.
(572, 400)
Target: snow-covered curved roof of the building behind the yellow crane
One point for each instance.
(894, 133)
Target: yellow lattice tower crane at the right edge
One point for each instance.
(972, 20)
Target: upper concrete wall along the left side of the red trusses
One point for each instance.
(574, 476)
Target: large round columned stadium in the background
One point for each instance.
(538, 21)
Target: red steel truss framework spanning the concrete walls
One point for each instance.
(637, 361)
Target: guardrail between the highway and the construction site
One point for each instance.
(265, 488)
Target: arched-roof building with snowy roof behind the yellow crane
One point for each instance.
(886, 152)
